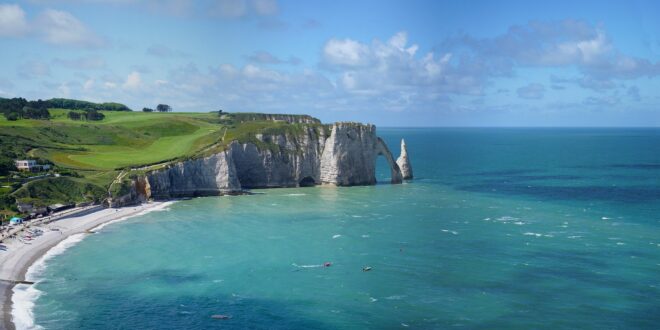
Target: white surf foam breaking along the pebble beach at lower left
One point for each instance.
(25, 296)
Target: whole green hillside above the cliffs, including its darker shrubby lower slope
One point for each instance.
(89, 155)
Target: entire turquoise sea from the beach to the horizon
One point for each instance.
(502, 228)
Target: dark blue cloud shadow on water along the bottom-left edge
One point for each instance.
(123, 310)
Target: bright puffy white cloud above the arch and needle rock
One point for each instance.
(394, 68)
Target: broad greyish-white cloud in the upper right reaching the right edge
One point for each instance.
(567, 43)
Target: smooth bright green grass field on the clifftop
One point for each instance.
(122, 139)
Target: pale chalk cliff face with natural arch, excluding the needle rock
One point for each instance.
(341, 154)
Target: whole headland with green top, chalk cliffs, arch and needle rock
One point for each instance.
(85, 153)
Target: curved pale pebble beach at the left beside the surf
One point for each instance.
(17, 259)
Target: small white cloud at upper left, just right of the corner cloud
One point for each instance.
(61, 28)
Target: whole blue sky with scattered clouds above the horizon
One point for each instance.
(390, 63)
